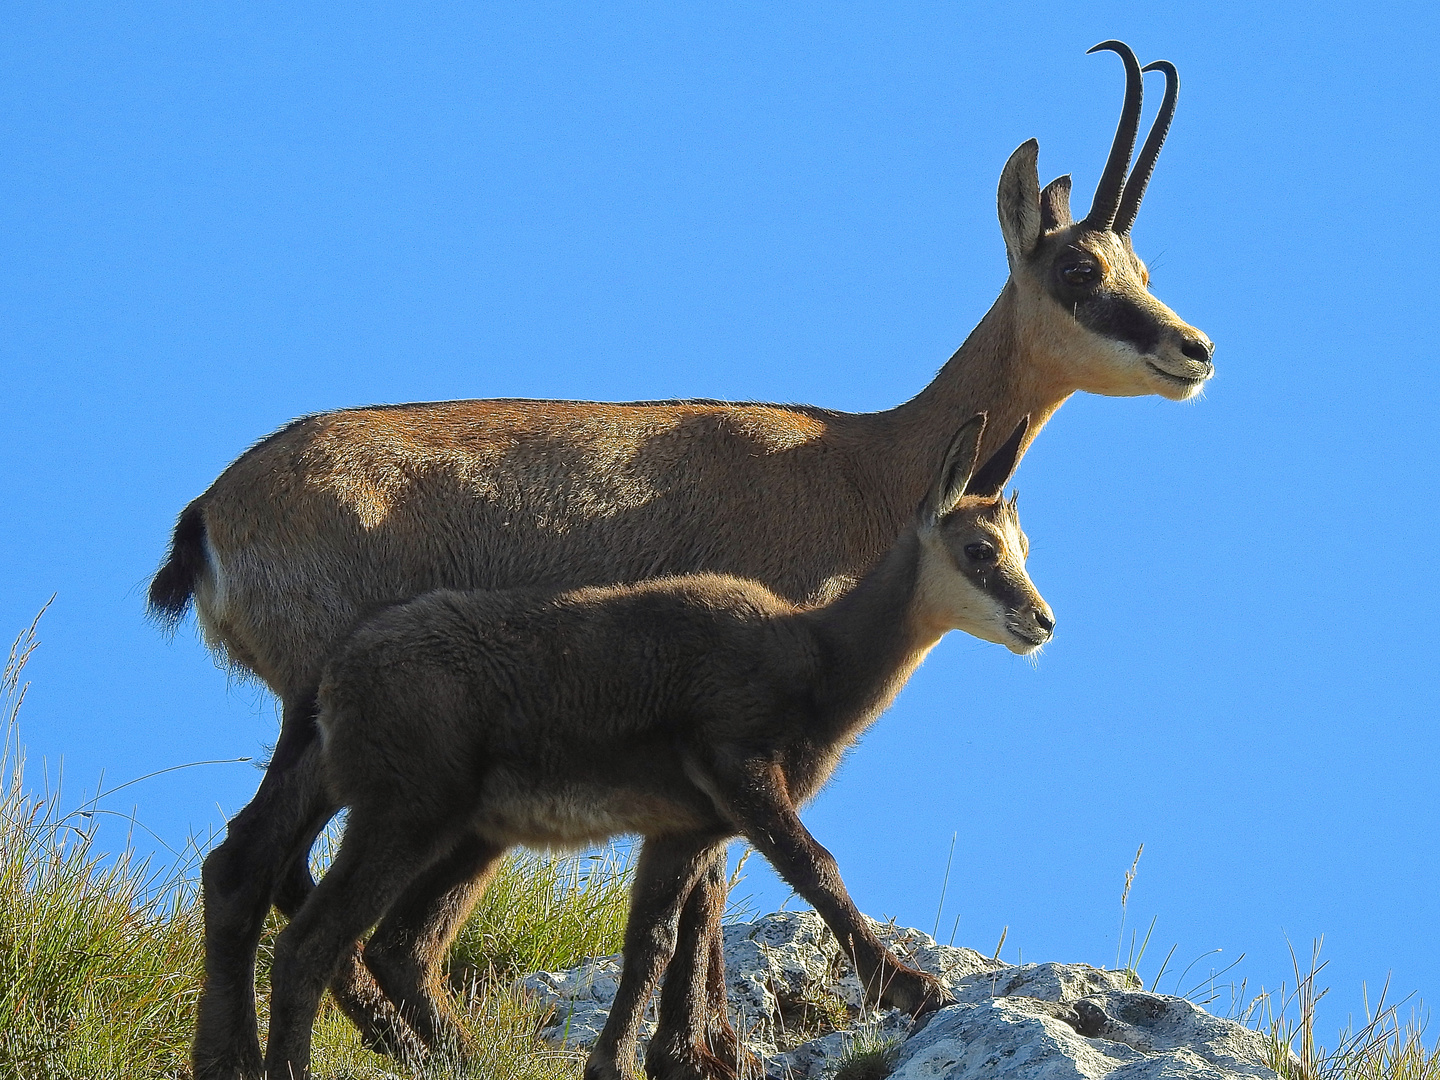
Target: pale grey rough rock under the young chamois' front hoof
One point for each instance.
(798, 1006)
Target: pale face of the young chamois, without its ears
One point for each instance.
(973, 578)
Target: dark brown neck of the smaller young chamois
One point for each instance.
(873, 639)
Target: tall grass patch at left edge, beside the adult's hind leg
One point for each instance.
(100, 960)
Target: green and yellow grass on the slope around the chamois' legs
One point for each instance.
(102, 961)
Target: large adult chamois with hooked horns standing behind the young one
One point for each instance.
(342, 512)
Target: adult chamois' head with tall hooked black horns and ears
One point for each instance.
(1084, 292)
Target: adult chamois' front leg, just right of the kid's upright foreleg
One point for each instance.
(695, 1038)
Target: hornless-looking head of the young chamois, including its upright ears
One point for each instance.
(973, 564)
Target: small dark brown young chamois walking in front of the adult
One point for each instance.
(685, 709)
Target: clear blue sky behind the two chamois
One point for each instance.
(220, 217)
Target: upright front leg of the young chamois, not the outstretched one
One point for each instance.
(667, 872)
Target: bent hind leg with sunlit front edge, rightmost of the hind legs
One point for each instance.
(408, 950)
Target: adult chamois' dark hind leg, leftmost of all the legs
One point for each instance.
(238, 881)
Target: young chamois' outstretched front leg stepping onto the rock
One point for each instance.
(757, 797)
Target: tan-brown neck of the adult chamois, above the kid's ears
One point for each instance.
(1000, 371)
